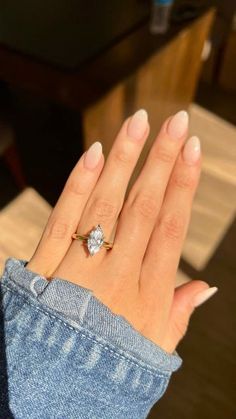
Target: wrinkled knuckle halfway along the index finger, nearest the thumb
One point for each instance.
(173, 226)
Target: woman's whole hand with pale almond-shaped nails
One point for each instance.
(136, 278)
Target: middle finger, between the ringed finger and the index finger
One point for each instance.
(144, 202)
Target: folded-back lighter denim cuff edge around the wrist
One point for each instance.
(79, 307)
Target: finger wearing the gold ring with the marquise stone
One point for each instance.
(106, 201)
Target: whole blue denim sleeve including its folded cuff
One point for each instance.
(69, 356)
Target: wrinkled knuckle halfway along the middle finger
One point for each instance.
(146, 206)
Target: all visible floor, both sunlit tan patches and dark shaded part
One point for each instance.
(205, 386)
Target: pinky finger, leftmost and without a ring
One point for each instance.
(65, 216)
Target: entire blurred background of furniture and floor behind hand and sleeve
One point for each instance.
(70, 73)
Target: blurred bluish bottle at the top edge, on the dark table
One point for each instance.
(160, 16)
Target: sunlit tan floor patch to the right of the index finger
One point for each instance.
(214, 205)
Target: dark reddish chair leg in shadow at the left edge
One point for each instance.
(13, 162)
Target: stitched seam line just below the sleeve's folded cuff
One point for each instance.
(113, 353)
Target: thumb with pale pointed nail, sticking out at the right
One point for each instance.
(186, 298)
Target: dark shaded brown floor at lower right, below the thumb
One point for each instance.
(205, 385)
